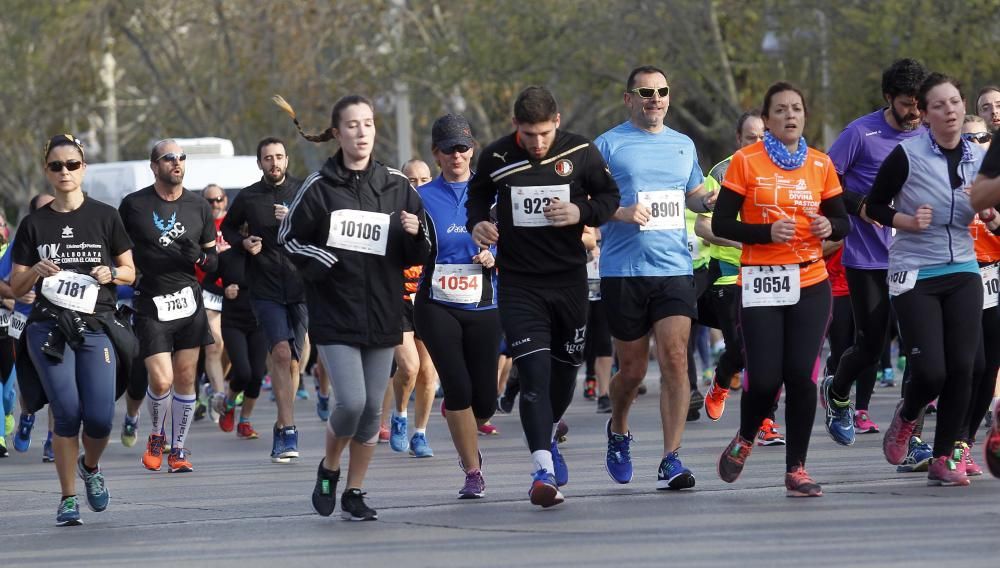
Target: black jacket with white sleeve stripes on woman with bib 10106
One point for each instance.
(353, 297)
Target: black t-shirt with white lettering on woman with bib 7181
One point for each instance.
(79, 240)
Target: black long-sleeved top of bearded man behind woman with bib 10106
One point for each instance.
(270, 273)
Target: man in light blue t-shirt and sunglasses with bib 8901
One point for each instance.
(646, 269)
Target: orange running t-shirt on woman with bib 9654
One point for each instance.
(771, 193)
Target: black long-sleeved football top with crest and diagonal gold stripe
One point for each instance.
(542, 256)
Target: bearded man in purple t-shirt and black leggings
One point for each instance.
(857, 153)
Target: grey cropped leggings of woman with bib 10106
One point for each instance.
(359, 376)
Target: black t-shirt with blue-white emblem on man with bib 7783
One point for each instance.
(154, 224)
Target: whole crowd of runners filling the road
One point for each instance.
(499, 278)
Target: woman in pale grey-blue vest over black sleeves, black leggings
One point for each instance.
(934, 280)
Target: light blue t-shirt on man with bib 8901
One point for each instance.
(648, 162)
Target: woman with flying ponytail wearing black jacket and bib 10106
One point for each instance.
(355, 223)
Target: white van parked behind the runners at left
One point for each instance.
(209, 160)
